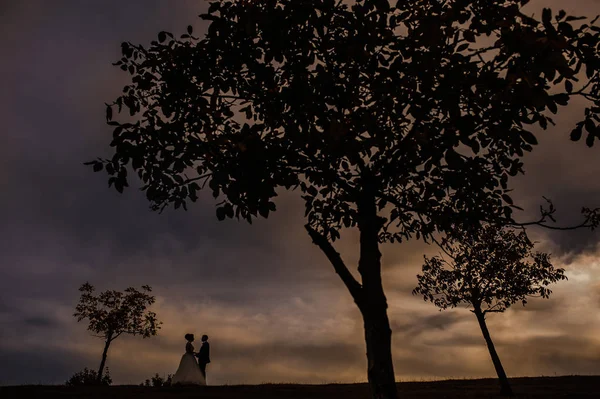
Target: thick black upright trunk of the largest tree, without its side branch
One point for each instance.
(372, 303)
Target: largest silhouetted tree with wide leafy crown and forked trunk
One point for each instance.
(399, 120)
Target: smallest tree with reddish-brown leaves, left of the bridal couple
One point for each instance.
(113, 313)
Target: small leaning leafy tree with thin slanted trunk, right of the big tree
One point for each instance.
(488, 272)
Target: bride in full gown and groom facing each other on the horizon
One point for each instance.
(190, 371)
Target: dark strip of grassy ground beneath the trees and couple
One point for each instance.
(525, 388)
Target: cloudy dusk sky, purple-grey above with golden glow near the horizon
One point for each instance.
(273, 307)
